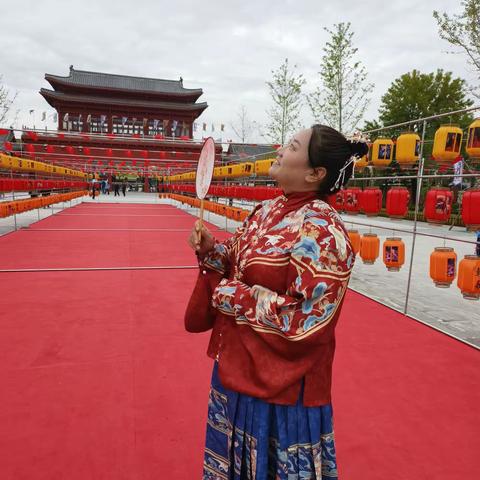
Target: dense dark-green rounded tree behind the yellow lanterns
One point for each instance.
(417, 95)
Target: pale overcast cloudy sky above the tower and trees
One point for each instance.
(227, 48)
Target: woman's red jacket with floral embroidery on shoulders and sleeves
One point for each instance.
(285, 271)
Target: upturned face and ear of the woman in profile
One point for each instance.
(291, 169)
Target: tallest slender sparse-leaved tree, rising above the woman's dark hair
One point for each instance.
(344, 94)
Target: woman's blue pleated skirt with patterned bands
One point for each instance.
(248, 438)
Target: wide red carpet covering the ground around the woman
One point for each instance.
(99, 380)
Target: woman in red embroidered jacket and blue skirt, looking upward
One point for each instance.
(277, 288)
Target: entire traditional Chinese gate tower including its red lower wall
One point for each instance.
(118, 124)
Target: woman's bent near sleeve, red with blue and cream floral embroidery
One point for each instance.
(320, 266)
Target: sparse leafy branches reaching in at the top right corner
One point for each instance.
(463, 32)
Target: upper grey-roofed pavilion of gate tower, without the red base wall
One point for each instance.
(104, 103)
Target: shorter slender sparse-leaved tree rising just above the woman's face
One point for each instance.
(286, 92)
